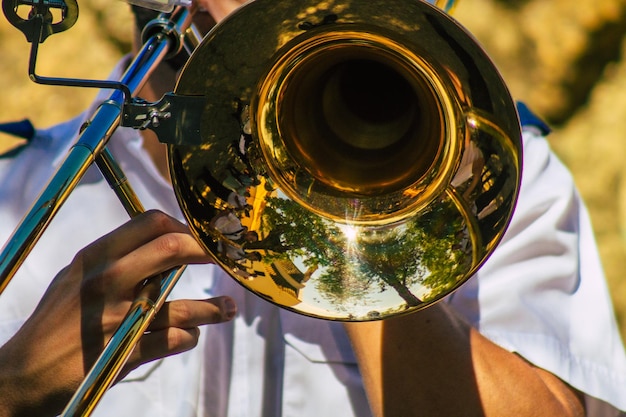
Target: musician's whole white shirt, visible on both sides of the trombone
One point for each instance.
(542, 294)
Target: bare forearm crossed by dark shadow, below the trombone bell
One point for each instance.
(432, 363)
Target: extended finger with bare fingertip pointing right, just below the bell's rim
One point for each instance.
(192, 313)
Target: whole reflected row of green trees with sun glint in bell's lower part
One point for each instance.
(419, 259)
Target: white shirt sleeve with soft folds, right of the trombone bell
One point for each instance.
(543, 294)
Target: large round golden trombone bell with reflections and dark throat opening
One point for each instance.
(356, 158)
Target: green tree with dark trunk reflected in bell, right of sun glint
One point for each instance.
(424, 254)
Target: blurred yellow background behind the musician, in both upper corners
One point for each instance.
(565, 59)
